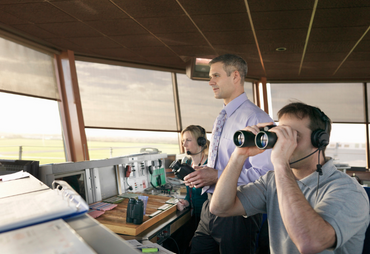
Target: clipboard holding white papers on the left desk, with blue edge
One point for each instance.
(36, 207)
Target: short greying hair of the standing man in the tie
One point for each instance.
(232, 63)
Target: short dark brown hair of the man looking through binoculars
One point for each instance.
(302, 110)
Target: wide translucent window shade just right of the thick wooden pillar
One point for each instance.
(126, 98)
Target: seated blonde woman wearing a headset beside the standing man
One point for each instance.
(196, 145)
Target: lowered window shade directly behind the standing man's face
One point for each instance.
(198, 104)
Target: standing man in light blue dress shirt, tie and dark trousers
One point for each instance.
(230, 234)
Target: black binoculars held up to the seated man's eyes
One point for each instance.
(263, 140)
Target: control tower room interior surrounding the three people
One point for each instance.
(95, 94)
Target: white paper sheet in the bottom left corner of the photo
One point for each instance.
(55, 237)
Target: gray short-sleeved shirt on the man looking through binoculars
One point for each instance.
(341, 201)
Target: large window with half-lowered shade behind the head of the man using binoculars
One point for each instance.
(341, 102)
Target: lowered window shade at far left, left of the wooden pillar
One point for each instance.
(26, 71)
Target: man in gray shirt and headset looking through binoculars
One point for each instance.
(311, 206)
